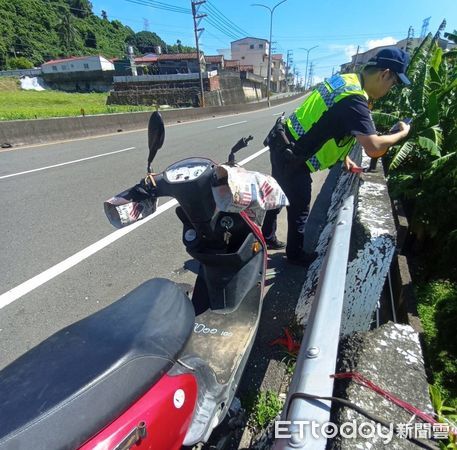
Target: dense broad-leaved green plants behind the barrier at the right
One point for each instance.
(422, 172)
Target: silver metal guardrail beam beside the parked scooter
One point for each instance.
(317, 357)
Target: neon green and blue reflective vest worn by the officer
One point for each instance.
(325, 95)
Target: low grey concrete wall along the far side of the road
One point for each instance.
(38, 131)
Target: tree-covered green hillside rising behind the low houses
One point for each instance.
(35, 31)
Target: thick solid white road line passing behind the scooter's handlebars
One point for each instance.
(42, 278)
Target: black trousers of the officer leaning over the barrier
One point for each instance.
(295, 181)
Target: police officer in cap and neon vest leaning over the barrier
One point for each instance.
(321, 132)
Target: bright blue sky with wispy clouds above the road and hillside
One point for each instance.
(337, 27)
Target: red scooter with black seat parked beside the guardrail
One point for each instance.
(156, 369)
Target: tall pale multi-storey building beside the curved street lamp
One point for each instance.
(253, 52)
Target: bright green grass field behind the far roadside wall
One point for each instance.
(36, 105)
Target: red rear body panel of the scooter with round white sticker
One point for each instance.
(159, 420)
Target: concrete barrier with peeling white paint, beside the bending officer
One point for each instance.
(372, 247)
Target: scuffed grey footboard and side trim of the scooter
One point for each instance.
(222, 339)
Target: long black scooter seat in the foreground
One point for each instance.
(65, 390)
